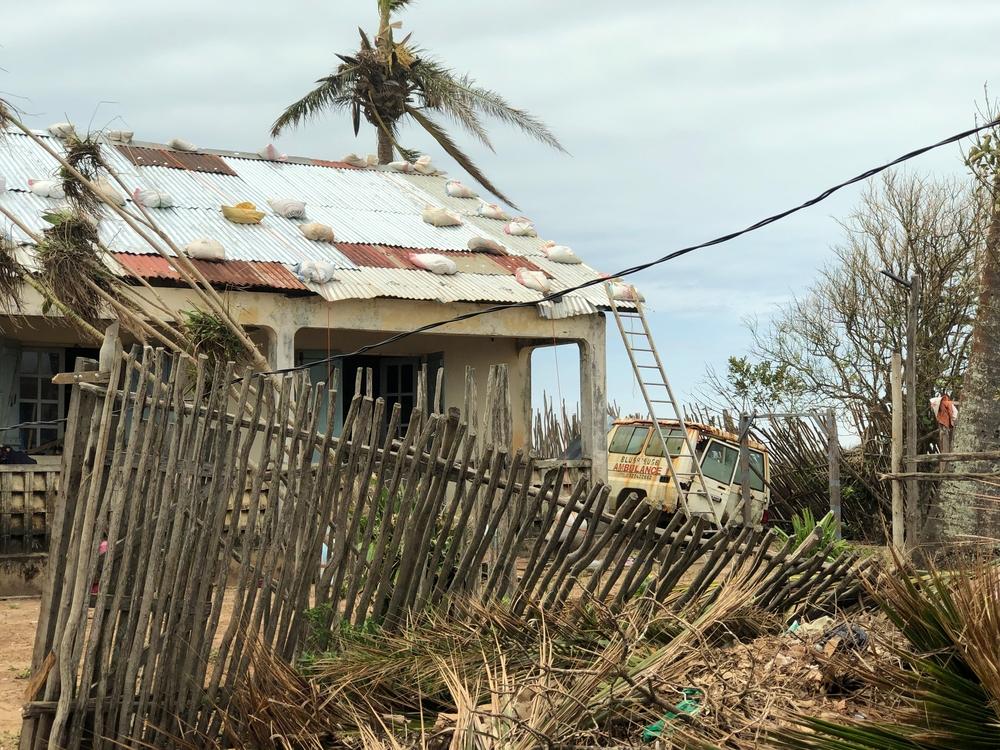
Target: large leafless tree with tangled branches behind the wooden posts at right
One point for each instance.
(831, 346)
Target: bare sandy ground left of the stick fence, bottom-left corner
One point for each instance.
(18, 618)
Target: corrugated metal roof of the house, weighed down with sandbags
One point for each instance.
(366, 208)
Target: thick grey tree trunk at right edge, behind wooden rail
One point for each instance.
(970, 509)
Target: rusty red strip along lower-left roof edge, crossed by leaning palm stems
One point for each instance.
(231, 273)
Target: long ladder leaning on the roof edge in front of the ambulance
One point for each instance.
(650, 374)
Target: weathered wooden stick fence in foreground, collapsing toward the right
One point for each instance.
(184, 499)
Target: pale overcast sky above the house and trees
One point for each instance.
(684, 120)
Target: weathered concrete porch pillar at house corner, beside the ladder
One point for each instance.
(594, 398)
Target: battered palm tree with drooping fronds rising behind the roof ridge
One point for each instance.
(389, 82)
